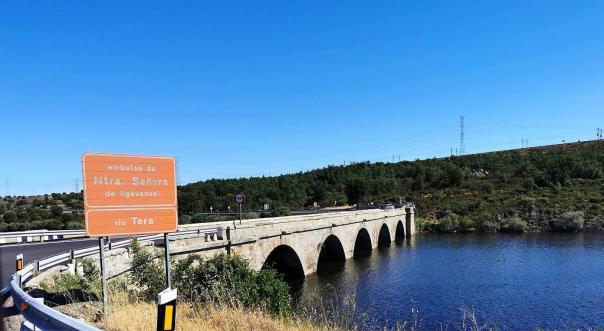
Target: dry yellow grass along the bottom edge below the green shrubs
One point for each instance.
(125, 315)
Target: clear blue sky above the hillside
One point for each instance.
(237, 89)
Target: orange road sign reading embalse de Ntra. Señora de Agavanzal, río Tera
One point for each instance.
(129, 194)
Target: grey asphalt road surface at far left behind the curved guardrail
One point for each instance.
(35, 251)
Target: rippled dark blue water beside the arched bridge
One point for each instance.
(515, 282)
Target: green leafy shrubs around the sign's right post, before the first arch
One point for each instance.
(227, 280)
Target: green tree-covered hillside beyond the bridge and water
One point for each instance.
(558, 187)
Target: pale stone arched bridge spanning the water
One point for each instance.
(295, 245)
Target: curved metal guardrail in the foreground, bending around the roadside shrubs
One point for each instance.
(40, 316)
